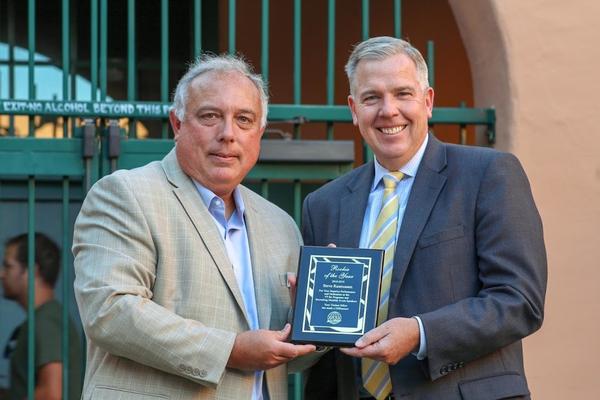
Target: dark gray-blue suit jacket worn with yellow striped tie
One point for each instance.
(470, 261)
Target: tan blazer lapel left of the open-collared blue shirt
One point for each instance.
(187, 194)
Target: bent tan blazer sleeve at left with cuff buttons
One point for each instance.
(115, 269)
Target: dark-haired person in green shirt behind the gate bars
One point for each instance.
(48, 322)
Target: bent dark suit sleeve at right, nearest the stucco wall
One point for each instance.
(511, 266)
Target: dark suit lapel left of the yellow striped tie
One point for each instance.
(352, 206)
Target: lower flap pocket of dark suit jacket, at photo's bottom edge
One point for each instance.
(494, 387)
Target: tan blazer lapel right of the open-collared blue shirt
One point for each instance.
(257, 237)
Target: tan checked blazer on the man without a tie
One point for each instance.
(157, 294)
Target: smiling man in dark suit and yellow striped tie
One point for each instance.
(467, 272)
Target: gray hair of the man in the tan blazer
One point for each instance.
(219, 63)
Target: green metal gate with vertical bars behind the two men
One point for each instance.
(95, 133)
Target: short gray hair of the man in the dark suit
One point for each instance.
(382, 47)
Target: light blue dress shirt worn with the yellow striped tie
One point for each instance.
(374, 205)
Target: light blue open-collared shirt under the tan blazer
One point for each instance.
(235, 236)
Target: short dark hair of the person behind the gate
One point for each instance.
(47, 255)
